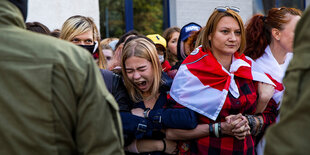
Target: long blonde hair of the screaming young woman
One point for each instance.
(142, 48)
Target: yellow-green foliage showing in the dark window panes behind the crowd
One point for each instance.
(148, 17)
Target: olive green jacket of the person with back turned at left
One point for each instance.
(52, 98)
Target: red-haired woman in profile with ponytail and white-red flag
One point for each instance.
(272, 47)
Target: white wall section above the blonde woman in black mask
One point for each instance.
(53, 13)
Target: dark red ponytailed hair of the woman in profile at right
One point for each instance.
(258, 29)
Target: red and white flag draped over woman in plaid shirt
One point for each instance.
(202, 84)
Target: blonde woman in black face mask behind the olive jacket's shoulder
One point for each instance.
(83, 31)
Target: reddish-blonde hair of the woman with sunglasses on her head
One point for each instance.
(211, 25)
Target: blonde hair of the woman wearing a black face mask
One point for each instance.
(77, 25)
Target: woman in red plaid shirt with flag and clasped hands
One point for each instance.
(217, 81)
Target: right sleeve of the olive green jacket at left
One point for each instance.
(98, 126)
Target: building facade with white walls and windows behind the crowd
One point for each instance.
(115, 17)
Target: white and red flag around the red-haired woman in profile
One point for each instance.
(274, 71)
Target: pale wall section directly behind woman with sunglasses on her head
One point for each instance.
(198, 11)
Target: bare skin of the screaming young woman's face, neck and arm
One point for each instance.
(140, 72)
